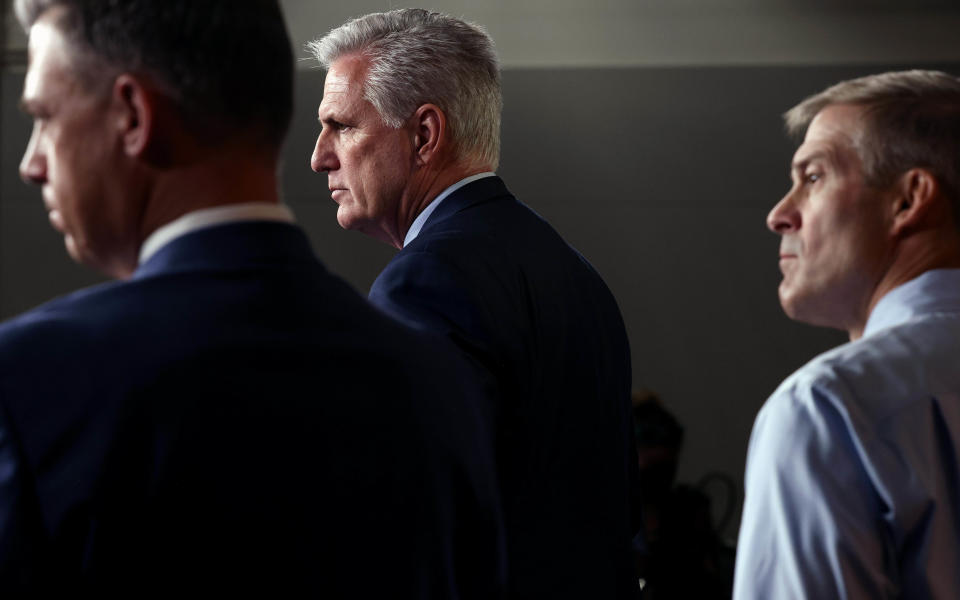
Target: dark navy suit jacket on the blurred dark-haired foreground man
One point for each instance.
(236, 419)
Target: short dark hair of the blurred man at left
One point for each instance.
(227, 64)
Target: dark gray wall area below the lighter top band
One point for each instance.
(662, 177)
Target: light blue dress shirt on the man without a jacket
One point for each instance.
(853, 471)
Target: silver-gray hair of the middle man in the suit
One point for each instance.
(418, 57)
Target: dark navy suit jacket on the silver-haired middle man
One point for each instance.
(494, 277)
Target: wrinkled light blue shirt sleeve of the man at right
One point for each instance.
(810, 527)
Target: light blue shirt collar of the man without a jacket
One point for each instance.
(934, 291)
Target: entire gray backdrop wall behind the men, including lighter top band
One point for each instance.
(647, 132)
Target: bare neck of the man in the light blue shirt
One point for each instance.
(915, 255)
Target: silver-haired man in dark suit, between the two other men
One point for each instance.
(410, 139)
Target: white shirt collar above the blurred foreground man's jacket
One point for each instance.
(206, 217)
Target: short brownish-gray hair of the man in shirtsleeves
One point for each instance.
(910, 119)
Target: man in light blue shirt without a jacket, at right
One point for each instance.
(853, 471)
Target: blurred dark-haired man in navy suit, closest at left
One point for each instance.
(228, 417)
